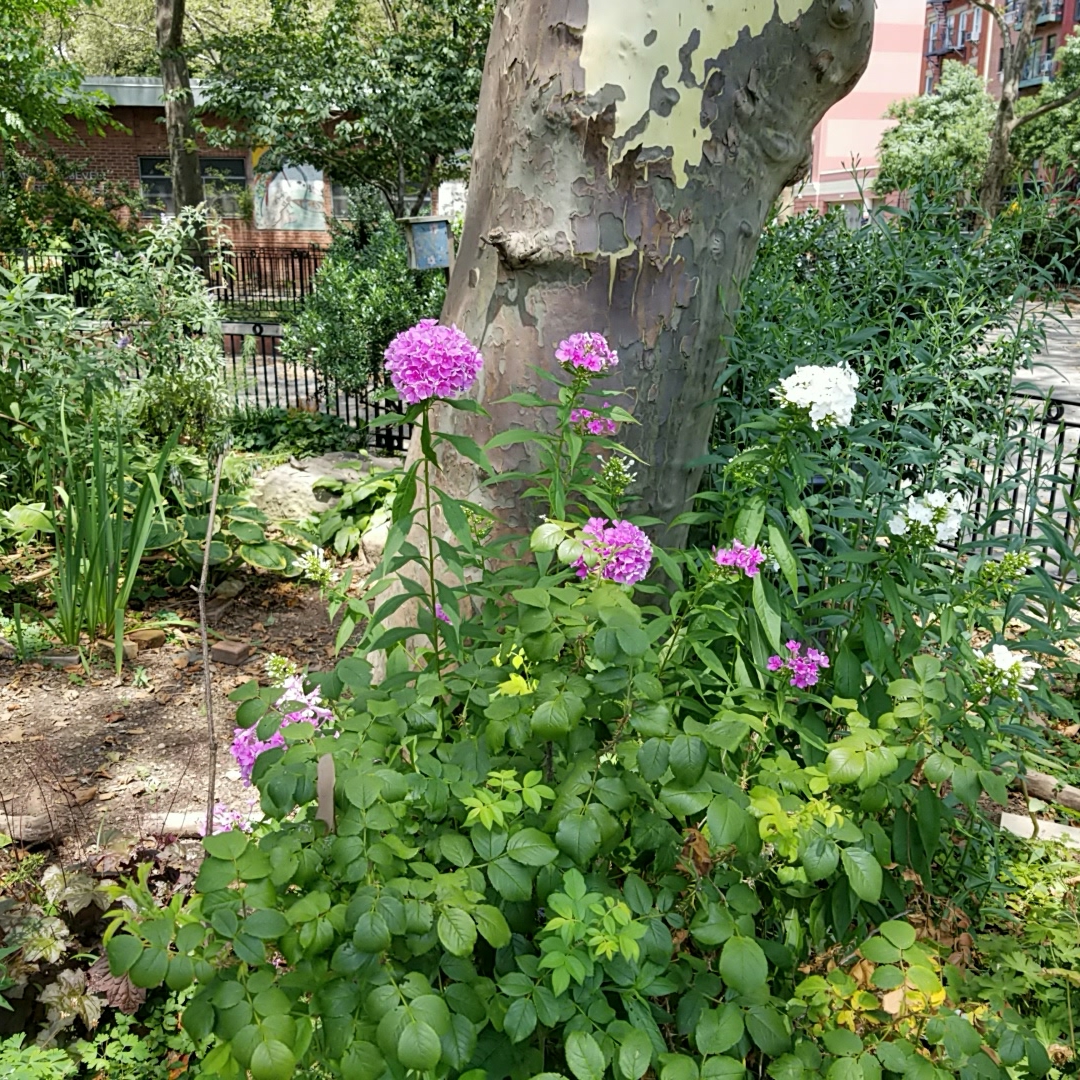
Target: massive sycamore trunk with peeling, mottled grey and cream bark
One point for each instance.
(628, 155)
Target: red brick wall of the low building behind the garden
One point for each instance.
(117, 154)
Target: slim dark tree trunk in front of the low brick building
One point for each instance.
(177, 89)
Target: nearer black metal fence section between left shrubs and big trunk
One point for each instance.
(262, 377)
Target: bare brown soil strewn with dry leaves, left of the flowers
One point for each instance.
(96, 759)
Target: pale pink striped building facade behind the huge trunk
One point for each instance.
(846, 143)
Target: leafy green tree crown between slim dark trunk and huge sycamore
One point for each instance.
(383, 96)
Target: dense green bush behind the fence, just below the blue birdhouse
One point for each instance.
(364, 295)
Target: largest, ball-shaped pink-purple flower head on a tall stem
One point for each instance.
(431, 361)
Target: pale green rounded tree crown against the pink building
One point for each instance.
(947, 132)
